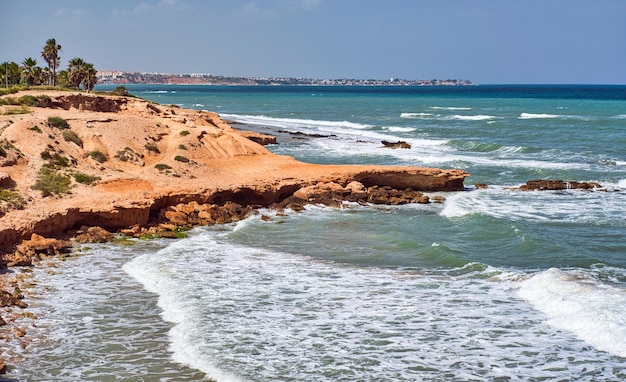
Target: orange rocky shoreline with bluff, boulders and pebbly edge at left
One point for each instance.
(154, 171)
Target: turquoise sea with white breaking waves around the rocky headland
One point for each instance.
(493, 284)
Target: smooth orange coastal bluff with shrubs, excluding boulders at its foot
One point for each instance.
(140, 158)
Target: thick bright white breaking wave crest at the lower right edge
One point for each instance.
(575, 302)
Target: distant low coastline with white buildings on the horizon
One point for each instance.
(122, 78)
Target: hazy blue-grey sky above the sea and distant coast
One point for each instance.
(484, 41)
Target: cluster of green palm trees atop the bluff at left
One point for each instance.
(78, 73)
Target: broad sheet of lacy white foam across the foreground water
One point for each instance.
(267, 315)
